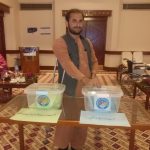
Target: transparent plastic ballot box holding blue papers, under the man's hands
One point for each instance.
(104, 99)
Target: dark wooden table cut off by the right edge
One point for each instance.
(144, 88)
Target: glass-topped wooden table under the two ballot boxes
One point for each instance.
(137, 116)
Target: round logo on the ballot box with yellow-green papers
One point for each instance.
(43, 100)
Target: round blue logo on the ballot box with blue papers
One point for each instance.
(102, 103)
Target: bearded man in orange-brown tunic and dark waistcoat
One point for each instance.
(76, 57)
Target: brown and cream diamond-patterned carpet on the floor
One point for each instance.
(36, 138)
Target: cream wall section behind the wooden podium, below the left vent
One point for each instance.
(39, 19)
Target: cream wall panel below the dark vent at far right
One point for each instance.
(134, 30)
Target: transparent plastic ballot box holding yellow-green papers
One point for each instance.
(45, 95)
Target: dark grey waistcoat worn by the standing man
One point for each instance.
(73, 52)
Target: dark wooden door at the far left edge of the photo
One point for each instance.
(2, 36)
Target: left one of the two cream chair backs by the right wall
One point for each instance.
(126, 56)
